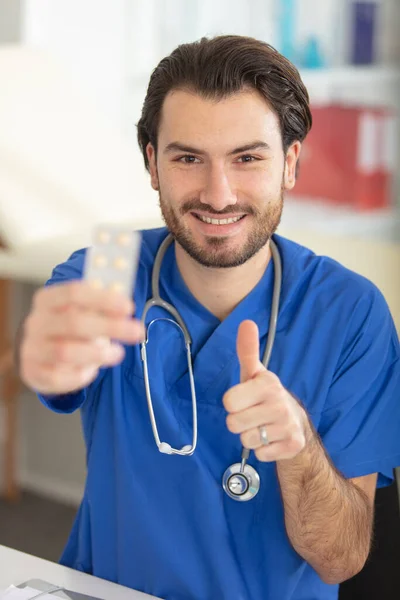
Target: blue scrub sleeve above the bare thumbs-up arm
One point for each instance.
(360, 424)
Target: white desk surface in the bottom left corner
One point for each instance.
(17, 567)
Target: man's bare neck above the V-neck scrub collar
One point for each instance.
(221, 290)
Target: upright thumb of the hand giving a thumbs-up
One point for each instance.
(248, 351)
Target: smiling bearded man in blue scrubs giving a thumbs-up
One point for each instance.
(221, 132)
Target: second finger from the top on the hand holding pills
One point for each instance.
(78, 324)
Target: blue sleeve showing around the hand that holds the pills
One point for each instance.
(70, 270)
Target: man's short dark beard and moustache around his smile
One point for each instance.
(216, 251)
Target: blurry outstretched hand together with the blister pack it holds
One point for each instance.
(78, 327)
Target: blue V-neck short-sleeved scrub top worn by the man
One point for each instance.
(163, 524)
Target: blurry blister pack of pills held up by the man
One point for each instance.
(112, 260)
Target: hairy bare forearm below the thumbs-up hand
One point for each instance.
(328, 518)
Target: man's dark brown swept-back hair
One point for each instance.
(218, 67)
